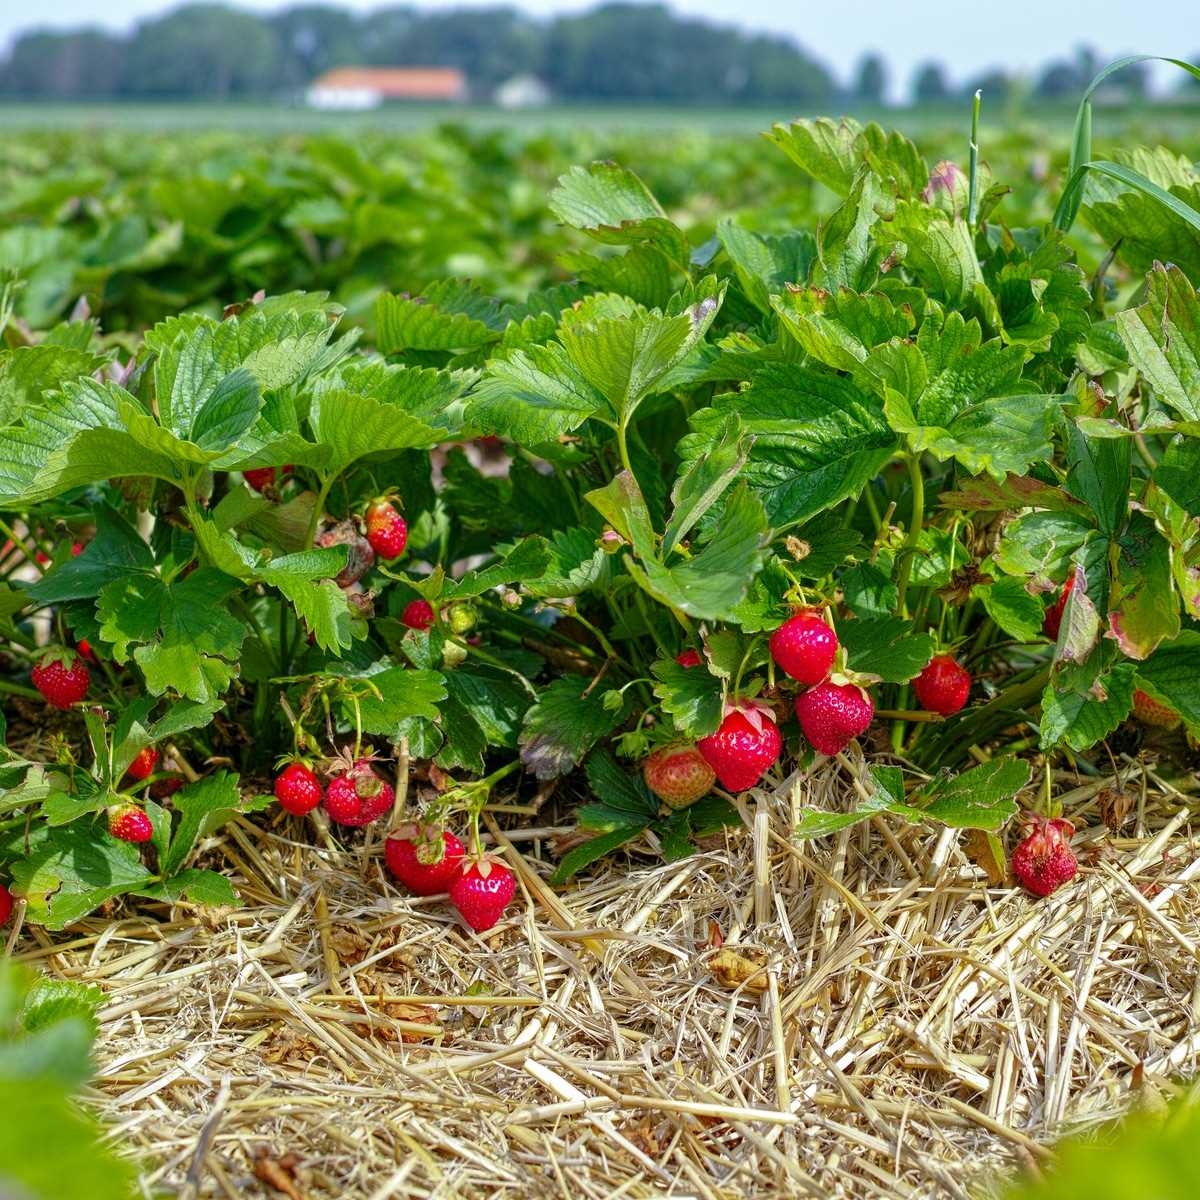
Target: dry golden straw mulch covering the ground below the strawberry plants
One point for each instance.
(913, 1031)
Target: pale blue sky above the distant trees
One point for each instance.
(969, 37)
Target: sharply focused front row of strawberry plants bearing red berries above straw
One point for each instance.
(909, 479)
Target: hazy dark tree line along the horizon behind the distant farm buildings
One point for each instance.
(619, 51)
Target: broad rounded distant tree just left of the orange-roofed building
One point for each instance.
(203, 51)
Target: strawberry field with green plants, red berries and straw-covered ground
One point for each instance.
(646, 667)
